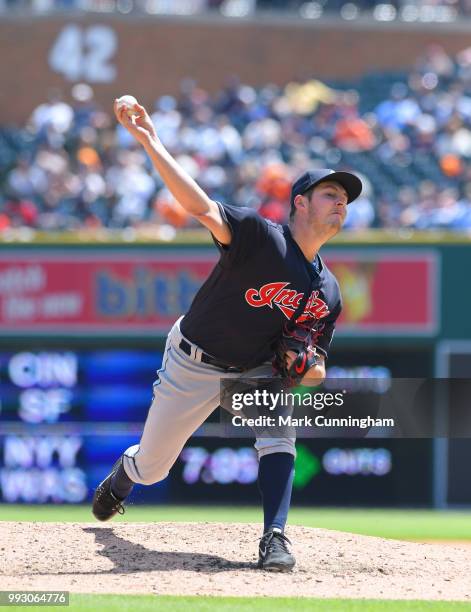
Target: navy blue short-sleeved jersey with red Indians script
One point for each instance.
(259, 281)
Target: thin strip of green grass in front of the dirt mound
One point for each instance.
(119, 603)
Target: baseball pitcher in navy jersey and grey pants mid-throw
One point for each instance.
(269, 303)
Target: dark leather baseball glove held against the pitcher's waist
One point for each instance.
(298, 339)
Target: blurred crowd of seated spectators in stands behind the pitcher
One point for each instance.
(71, 166)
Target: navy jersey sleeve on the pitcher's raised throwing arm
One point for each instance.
(249, 231)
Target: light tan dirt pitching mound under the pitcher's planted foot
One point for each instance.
(220, 559)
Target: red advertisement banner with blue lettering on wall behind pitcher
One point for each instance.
(128, 292)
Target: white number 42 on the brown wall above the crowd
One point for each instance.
(85, 53)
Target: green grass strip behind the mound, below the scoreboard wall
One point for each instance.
(400, 524)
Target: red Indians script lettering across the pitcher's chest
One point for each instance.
(287, 300)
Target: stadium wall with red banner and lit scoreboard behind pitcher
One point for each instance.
(81, 335)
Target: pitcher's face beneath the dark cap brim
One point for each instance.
(328, 207)
